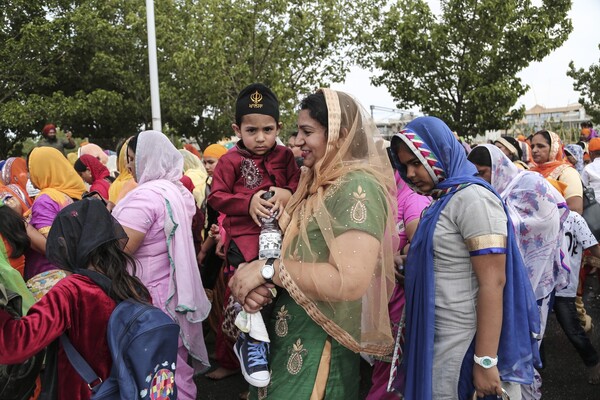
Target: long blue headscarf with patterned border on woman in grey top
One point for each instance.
(517, 350)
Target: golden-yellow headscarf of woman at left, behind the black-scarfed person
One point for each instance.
(51, 172)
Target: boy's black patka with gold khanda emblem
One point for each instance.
(256, 99)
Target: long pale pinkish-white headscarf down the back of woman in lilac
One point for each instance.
(159, 166)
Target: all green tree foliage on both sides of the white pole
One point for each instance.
(83, 64)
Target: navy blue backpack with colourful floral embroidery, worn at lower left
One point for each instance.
(143, 343)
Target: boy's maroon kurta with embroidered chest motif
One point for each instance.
(237, 177)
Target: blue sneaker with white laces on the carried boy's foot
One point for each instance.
(253, 360)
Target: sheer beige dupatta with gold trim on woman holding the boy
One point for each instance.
(351, 147)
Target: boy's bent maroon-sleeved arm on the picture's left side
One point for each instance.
(222, 197)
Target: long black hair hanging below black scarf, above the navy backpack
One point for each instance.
(111, 260)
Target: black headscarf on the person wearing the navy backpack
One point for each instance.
(77, 230)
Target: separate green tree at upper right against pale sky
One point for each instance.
(461, 66)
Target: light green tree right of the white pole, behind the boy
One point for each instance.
(222, 46)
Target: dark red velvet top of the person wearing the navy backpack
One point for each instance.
(75, 305)
